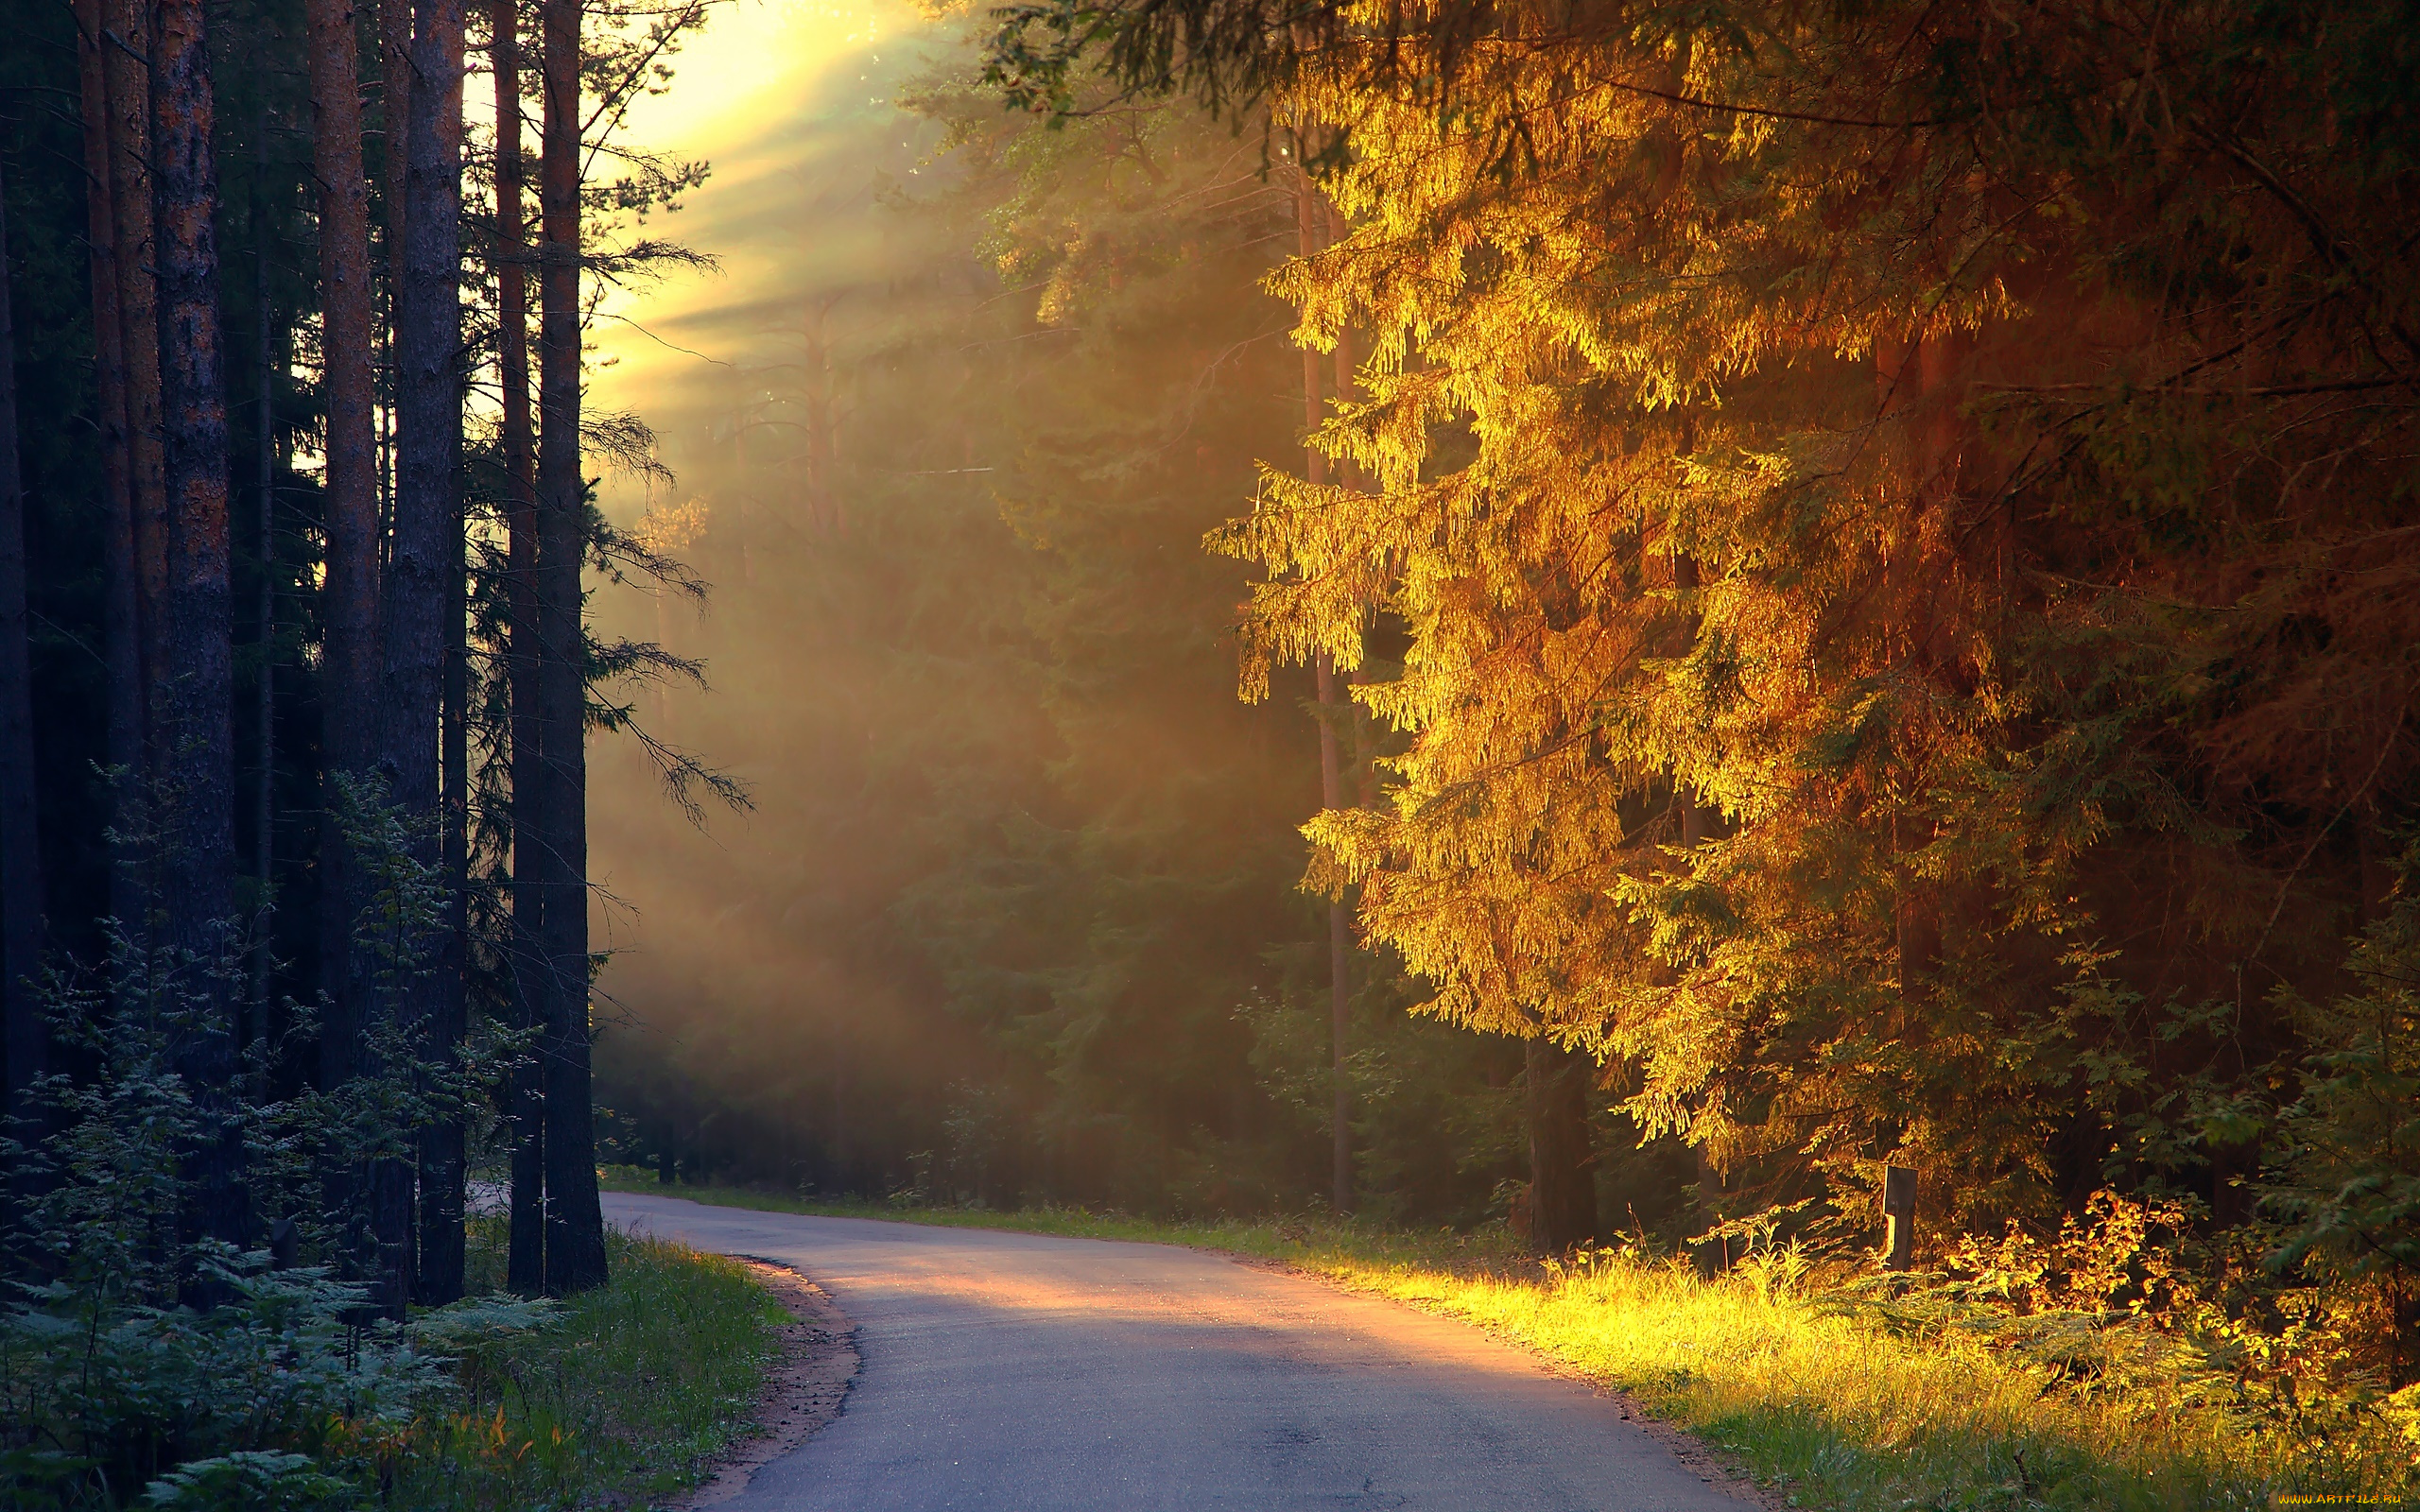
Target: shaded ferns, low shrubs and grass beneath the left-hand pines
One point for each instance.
(618, 1397)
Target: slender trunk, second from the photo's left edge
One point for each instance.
(120, 630)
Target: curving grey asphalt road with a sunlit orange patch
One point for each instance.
(1081, 1375)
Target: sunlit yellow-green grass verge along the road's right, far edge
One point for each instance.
(1807, 1390)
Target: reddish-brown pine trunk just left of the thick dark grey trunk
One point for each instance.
(350, 591)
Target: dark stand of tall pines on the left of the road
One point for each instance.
(338, 988)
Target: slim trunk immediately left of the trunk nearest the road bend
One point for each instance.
(526, 1109)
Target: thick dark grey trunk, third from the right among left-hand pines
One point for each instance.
(425, 562)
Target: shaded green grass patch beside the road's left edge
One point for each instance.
(618, 1404)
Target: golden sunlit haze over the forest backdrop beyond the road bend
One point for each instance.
(1015, 904)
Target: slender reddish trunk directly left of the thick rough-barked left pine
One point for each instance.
(125, 62)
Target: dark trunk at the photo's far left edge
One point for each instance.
(21, 841)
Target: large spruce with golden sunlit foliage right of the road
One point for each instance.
(1903, 529)
